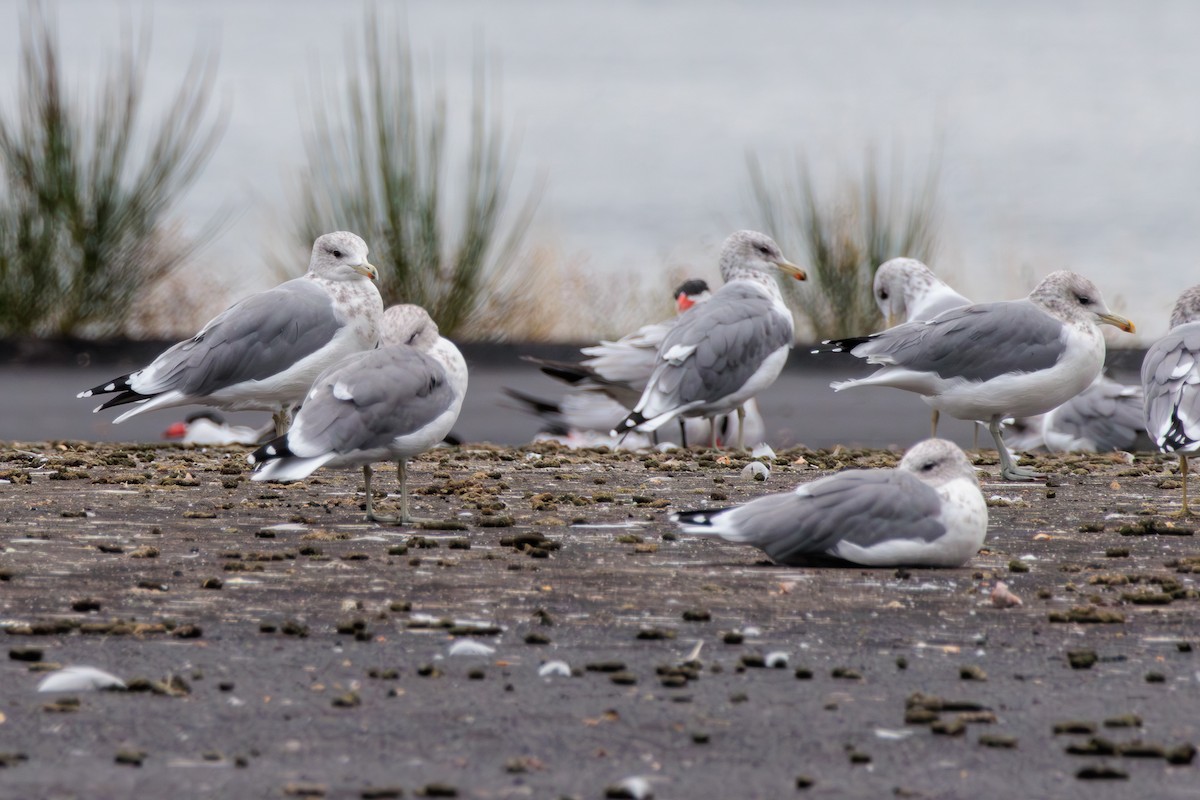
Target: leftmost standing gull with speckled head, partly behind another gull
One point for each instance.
(265, 352)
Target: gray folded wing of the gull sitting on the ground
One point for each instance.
(863, 508)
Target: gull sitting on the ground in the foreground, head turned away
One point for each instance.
(928, 512)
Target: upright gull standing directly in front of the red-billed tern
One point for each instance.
(727, 351)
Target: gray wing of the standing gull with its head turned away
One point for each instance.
(369, 400)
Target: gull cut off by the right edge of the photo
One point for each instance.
(1171, 380)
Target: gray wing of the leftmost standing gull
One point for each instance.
(253, 340)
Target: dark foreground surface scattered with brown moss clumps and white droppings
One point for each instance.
(320, 661)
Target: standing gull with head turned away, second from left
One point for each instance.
(392, 404)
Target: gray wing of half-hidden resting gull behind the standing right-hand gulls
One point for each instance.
(1107, 414)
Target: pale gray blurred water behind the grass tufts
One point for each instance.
(1066, 134)
